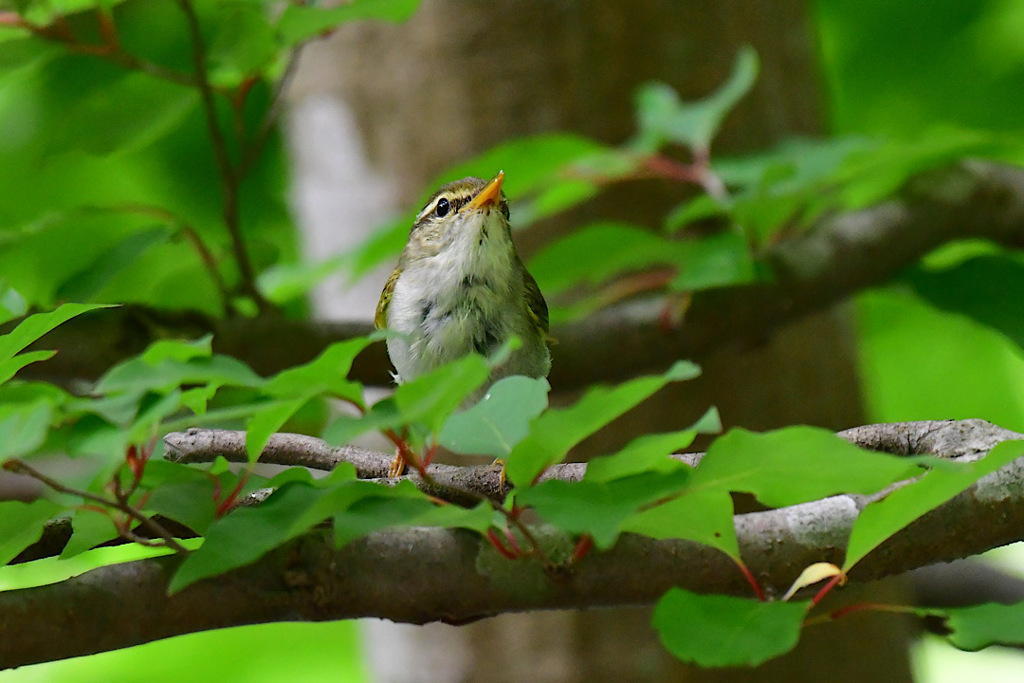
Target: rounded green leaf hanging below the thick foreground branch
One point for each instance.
(723, 631)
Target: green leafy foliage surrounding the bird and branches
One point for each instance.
(143, 165)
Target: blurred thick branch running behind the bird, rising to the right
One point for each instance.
(843, 254)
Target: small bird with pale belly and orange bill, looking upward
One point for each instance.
(461, 287)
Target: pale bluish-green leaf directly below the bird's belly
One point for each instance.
(499, 421)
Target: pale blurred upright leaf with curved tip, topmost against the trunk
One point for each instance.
(663, 118)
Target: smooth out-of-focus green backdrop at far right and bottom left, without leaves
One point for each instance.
(891, 70)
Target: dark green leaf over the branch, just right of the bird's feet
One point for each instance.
(600, 508)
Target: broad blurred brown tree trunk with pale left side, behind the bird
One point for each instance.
(460, 77)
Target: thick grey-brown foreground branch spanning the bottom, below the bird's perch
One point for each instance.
(424, 575)
